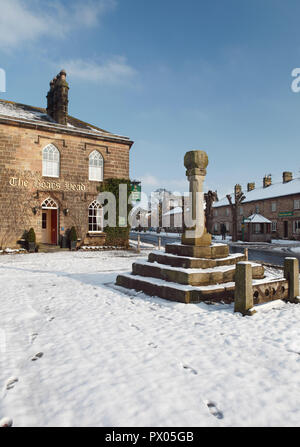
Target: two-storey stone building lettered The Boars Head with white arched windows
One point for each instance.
(51, 167)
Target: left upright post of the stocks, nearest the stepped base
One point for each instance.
(243, 294)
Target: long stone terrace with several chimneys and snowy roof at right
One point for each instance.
(277, 202)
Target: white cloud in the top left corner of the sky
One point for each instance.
(22, 22)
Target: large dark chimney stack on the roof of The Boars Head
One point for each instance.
(57, 98)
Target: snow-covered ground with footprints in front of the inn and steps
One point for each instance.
(75, 351)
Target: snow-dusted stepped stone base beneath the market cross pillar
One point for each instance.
(188, 274)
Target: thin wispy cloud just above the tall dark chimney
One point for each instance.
(115, 70)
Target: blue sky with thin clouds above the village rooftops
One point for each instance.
(174, 76)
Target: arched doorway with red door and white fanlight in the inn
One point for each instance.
(49, 222)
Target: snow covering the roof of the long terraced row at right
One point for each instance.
(274, 190)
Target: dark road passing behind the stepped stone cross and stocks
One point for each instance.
(264, 254)
